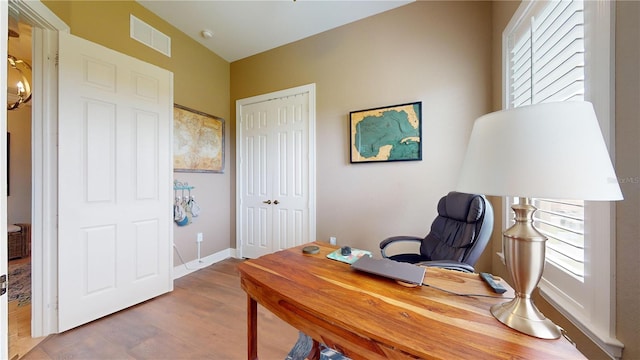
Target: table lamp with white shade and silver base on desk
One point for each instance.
(548, 150)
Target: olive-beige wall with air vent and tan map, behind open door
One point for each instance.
(201, 82)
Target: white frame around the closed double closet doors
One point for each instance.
(311, 90)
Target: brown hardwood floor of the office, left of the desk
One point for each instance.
(203, 318)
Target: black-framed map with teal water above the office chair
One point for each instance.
(392, 133)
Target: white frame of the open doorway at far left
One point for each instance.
(44, 134)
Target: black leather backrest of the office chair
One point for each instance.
(461, 230)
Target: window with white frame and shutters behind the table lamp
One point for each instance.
(561, 51)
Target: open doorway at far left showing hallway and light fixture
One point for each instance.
(19, 185)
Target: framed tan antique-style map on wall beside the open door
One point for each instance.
(198, 141)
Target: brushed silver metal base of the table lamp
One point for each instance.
(524, 251)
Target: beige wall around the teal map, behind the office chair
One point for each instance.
(435, 52)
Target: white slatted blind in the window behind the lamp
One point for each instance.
(547, 64)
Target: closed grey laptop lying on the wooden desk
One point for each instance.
(404, 272)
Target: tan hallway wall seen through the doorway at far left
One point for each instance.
(19, 199)
